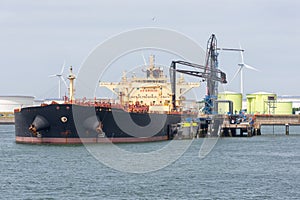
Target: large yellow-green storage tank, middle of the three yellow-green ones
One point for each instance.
(261, 103)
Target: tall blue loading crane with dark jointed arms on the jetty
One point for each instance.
(209, 73)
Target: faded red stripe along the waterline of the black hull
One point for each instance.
(35, 140)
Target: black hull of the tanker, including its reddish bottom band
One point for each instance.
(72, 124)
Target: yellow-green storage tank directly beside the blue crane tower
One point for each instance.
(236, 98)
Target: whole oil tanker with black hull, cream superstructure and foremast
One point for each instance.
(142, 113)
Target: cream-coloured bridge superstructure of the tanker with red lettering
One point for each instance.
(153, 89)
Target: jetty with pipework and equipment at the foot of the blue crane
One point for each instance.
(235, 125)
